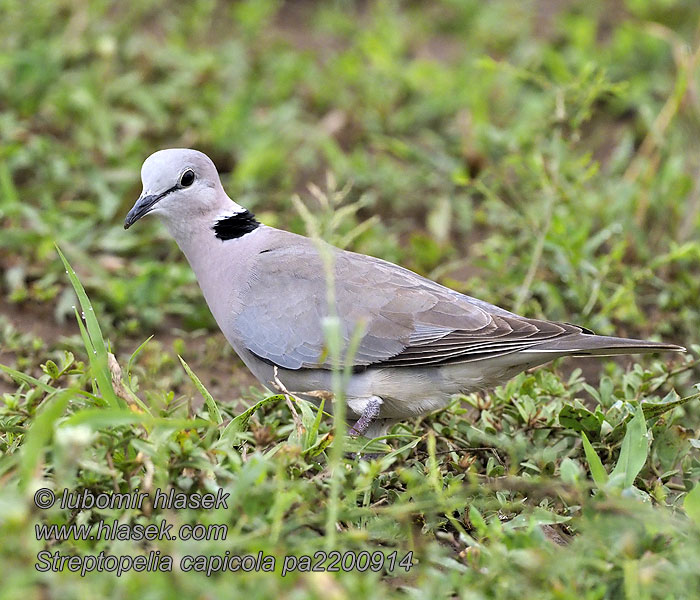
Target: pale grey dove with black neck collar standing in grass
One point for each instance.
(421, 344)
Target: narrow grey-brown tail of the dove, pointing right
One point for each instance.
(585, 344)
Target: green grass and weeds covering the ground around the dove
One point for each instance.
(539, 155)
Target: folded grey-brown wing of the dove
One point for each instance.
(406, 319)
